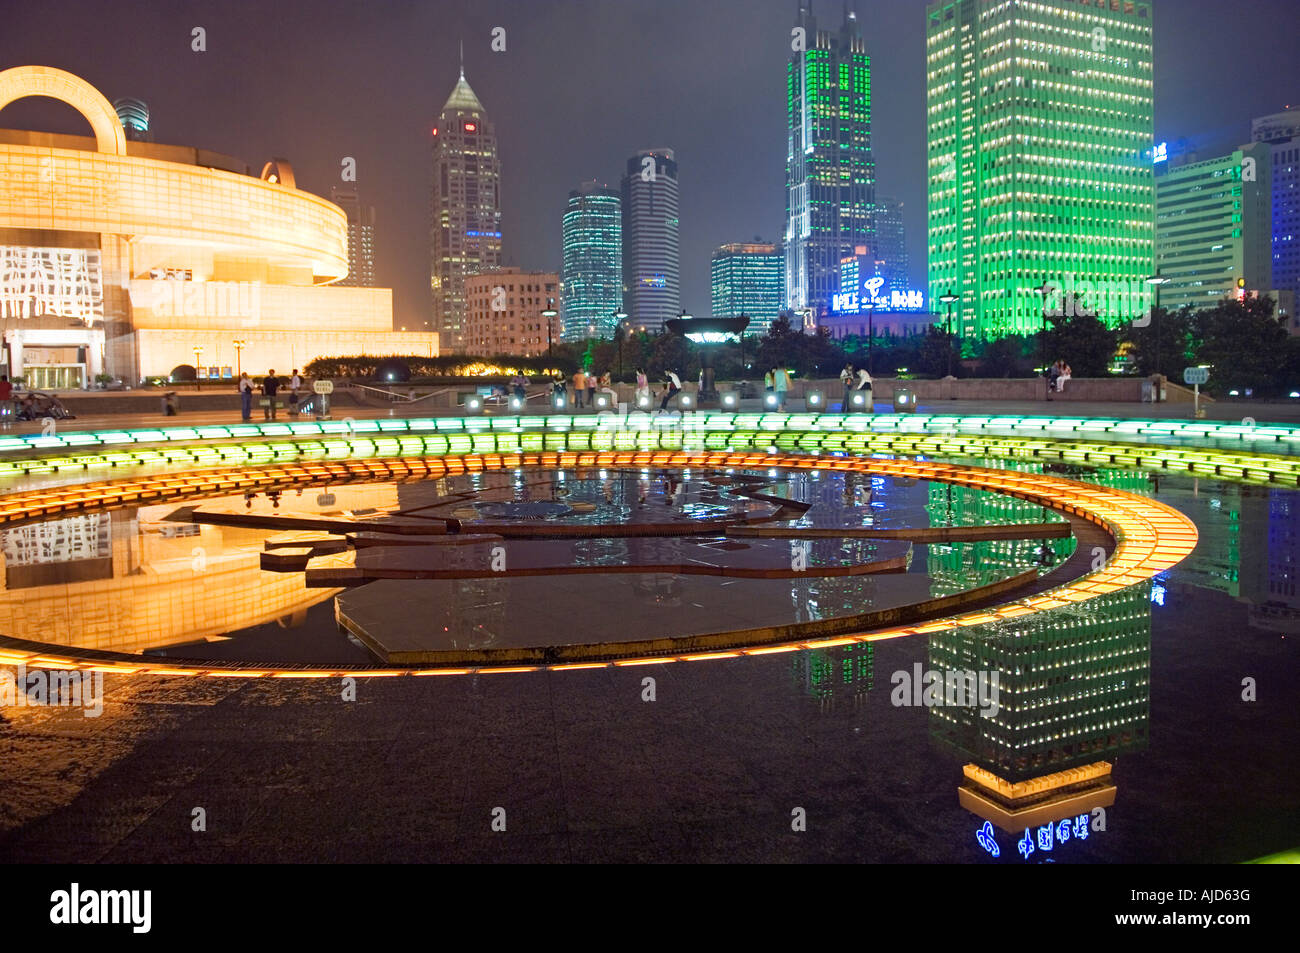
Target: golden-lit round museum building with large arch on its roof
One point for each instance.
(132, 258)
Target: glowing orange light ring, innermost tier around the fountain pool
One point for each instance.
(1151, 538)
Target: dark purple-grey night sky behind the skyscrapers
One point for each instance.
(582, 85)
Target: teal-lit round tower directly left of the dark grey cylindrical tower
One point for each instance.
(592, 262)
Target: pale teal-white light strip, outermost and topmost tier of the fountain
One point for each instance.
(1285, 437)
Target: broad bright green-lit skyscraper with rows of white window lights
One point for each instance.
(1039, 118)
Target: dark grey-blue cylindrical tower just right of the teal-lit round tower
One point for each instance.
(652, 293)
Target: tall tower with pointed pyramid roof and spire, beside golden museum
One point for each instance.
(466, 209)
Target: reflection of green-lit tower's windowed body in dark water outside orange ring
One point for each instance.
(1074, 686)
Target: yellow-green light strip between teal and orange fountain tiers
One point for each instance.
(1238, 465)
